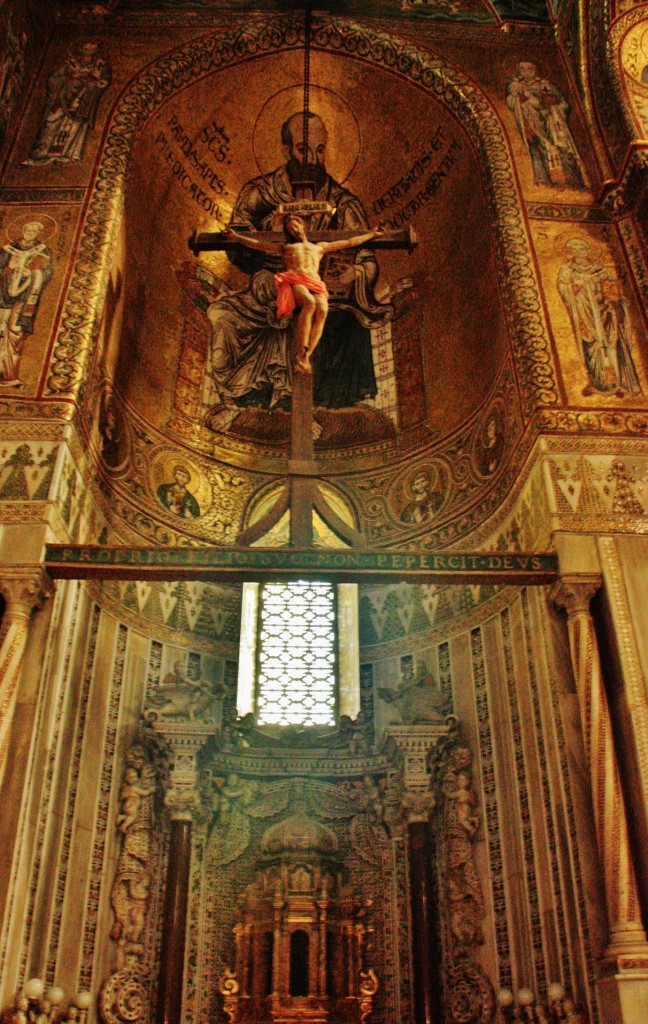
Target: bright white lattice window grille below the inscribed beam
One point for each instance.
(297, 655)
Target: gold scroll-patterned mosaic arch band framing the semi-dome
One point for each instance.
(209, 54)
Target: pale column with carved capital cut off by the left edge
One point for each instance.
(24, 589)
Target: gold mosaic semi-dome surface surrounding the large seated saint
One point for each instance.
(396, 151)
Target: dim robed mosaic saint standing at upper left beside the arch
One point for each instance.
(74, 92)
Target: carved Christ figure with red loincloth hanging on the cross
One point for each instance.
(299, 285)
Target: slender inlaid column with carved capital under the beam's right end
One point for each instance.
(627, 933)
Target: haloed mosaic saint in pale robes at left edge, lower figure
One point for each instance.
(26, 269)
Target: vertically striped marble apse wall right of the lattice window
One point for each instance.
(504, 682)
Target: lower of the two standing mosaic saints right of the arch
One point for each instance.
(600, 320)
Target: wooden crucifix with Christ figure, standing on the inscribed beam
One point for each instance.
(301, 289)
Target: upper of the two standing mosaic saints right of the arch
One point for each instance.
(542, 113)
